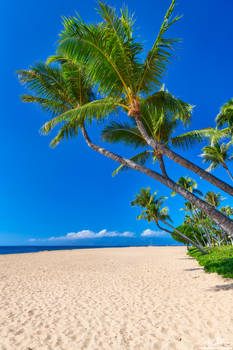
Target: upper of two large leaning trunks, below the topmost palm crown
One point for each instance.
(182, 161)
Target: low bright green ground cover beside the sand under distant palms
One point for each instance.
(219, 260)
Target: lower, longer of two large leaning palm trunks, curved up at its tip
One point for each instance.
(210, 211)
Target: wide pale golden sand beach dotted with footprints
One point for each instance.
(120, 298)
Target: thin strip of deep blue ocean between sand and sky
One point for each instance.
(34, 249)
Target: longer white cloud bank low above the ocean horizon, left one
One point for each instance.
(84, 234)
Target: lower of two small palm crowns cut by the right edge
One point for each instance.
(217, 155)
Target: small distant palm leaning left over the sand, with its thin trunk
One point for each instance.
(154, 210)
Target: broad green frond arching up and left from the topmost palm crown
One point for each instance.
(99, 46)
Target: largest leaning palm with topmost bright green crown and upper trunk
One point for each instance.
(112, 58)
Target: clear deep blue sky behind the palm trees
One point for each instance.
(47, 192)
